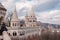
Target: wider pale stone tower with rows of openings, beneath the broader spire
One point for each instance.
(30, 18)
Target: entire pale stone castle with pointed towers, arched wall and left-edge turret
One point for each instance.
(16, 30)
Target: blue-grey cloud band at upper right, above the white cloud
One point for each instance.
(47, 5)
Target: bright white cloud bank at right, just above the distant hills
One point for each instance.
(50, 17)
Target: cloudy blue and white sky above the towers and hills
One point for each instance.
(47, 11)
